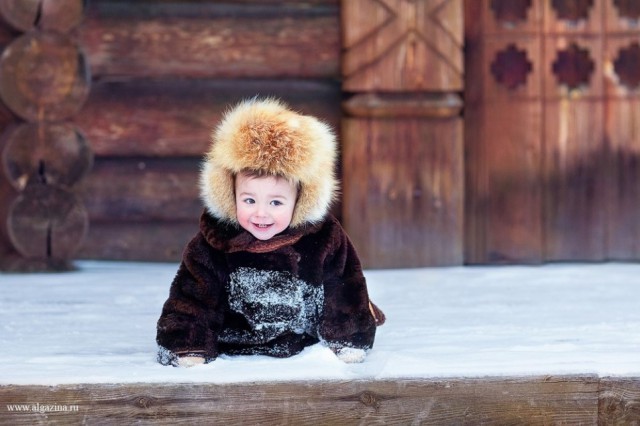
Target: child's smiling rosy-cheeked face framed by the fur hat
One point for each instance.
(264, 204)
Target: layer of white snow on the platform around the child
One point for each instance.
(97, 325)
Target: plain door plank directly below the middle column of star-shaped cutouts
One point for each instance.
(575, 204)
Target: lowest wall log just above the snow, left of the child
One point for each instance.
(137, 241)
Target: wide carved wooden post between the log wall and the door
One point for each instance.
(402, 134)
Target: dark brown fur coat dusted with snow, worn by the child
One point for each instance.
(234, 294)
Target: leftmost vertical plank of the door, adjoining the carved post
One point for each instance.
(503, 145)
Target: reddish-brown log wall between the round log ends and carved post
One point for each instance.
(162, 74)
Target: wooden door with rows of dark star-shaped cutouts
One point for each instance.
(551, 114)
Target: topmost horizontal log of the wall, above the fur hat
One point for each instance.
(210, 41)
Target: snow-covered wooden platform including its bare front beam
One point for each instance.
(555, 344)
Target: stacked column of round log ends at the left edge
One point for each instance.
(44, 79)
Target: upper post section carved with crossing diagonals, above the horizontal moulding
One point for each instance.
(402, 46)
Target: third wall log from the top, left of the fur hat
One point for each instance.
(143, 190)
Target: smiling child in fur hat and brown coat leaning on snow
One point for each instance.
(271, 271)
